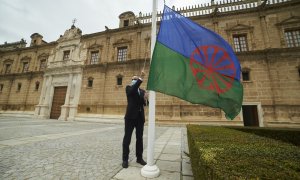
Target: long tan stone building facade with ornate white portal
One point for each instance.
(84, 75)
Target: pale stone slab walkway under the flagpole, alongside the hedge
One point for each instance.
(170, 164)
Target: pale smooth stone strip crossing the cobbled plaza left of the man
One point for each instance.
(14, 142)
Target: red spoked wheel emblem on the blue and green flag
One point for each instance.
(213, 68)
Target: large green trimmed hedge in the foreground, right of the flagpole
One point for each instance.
(224, 153)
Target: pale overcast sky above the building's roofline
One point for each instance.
(50, 18)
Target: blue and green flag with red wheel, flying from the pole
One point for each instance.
(195, 64)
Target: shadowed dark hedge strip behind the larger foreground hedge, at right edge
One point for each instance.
(286, 135)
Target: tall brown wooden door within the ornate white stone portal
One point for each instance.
(58, 100)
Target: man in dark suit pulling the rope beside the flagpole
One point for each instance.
(134, 118)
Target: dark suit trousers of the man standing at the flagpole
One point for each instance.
(130, 124)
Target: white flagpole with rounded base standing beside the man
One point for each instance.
(151, 170)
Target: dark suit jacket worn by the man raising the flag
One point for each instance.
(135, 101)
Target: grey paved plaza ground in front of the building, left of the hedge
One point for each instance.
(51, 149)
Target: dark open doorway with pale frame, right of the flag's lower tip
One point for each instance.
(250, 115)
